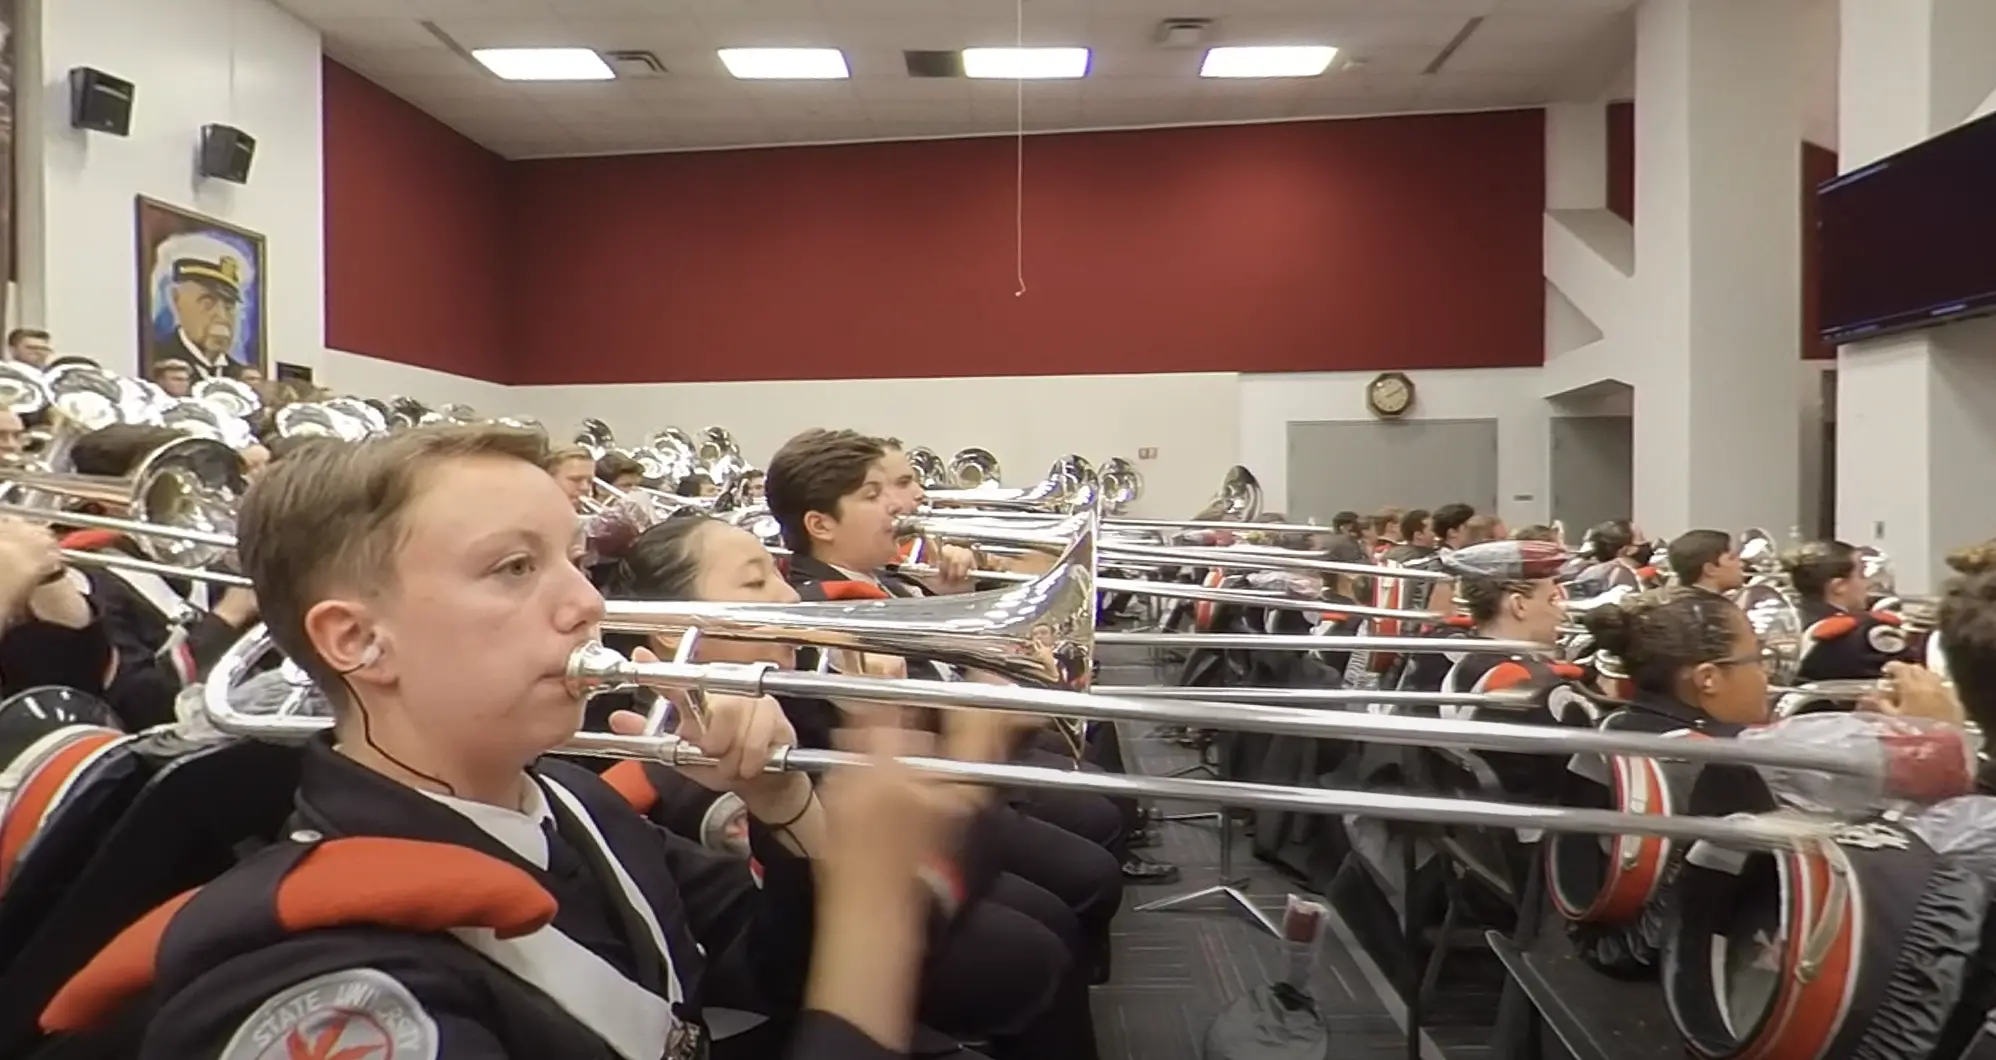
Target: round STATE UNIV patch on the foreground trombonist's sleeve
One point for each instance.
(350, 1015)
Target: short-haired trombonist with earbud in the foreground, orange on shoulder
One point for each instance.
(444, 895)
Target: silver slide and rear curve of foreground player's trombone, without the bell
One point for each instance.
(596, 668)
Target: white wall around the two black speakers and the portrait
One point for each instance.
(237, 63)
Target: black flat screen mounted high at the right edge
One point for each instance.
(1911, 241)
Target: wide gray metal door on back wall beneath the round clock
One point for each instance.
(1364, 466)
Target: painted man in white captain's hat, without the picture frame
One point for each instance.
(199, 306)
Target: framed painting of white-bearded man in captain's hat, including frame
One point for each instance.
(201, 292)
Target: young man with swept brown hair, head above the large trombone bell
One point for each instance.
(829, 494)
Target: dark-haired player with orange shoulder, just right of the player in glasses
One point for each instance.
(1843, 640)
